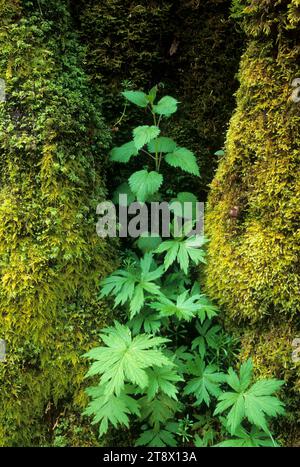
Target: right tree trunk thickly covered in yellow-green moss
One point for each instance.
(252, 219)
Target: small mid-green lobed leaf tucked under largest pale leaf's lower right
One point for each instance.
(162, 379)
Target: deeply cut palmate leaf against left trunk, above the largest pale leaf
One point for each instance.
(131, 285)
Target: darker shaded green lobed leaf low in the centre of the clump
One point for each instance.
(159, 410)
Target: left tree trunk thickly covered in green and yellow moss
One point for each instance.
(52, 144)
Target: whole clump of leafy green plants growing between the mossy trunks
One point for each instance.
(167, 365)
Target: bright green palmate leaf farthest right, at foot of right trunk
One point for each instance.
(251, 402)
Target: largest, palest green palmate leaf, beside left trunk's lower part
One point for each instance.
(125, 358)
